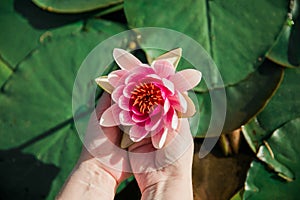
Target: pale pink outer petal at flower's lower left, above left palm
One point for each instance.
(110, 117)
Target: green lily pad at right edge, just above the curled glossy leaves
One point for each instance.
(283, 107)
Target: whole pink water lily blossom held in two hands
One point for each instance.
(148, 99)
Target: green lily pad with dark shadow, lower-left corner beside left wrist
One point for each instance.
(38, 168)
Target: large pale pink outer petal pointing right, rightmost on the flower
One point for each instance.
(186, 79)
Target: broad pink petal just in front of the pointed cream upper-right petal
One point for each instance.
(163, 68)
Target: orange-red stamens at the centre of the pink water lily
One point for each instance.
(146, 96)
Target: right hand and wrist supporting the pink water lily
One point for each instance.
(172, 177)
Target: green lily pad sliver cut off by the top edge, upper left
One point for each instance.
(77, 6)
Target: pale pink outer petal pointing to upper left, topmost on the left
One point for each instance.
(125, 59)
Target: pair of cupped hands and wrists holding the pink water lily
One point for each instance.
(161, 174)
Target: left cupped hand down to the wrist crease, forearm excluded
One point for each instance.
(103, 144)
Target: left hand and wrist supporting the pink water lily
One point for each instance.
(103, 166)
